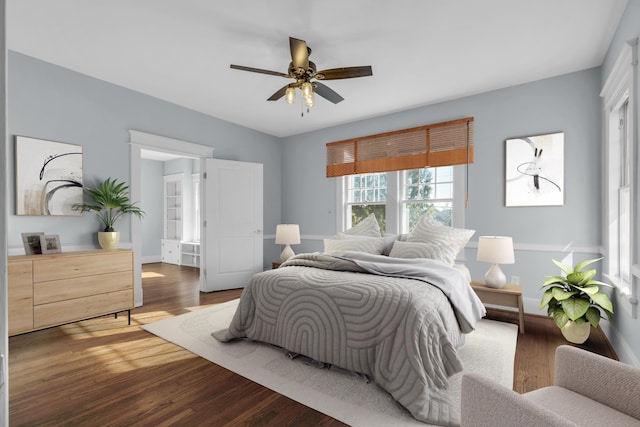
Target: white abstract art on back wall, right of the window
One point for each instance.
(535, 170)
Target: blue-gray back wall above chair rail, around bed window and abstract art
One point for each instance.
(568, 103)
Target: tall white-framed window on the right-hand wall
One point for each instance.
(620, 172)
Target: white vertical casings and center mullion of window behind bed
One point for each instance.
(394, 200)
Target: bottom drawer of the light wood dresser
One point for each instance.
(81, 308)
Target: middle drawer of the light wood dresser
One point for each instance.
(60, 290)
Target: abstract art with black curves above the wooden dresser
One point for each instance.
(48, 177)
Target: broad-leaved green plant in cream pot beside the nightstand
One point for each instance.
(575, 300)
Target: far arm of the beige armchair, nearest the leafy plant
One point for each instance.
(612, 383)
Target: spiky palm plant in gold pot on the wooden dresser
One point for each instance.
(110, 201)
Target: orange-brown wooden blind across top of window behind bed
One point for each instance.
(439, 144)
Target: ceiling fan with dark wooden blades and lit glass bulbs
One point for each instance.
(306, 75)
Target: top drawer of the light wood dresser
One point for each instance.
(64, 267)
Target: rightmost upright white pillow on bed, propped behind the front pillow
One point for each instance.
(451, 240)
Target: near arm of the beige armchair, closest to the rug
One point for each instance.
(486, 403)
